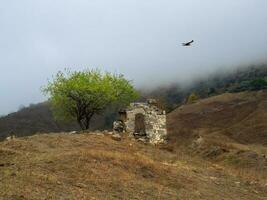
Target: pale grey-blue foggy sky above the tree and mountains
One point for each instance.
(139, 38)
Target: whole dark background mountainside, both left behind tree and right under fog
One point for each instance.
(39, 118)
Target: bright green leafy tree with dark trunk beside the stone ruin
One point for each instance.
(80, 95)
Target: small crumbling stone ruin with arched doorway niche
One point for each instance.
(143, 121)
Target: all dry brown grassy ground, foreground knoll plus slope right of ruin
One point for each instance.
(216, 150)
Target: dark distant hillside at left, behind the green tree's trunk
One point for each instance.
(38, 118)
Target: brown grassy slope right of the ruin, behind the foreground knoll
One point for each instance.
(229, 129)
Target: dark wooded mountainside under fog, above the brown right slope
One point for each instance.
(248, 78)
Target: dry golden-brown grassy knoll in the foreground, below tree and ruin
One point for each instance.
(93, 166)
